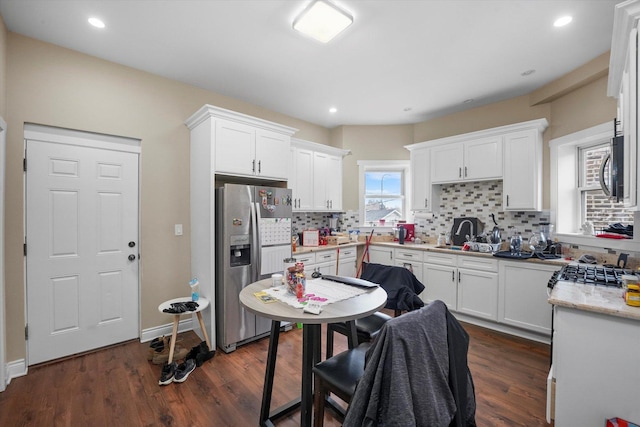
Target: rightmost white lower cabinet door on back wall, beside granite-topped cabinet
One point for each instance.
(523, 296)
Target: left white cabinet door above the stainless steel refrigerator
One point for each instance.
(235, 148)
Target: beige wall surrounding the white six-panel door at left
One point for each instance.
(54, 86)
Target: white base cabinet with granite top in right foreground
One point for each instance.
(595, 372)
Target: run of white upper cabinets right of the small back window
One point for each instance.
(512, 153)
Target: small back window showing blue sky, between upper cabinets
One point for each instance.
(383, 190)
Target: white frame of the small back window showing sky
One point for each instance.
(384, 166)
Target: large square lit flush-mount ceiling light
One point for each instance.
(322, 21)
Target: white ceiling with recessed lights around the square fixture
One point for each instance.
(426, 55)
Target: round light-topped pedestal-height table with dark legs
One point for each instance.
(341, 311)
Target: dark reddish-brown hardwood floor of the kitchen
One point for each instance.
(117, 386)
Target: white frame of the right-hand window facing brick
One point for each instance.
(565, 194)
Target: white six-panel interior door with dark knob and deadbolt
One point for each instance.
(82, 248)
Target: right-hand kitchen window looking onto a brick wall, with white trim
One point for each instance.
(576, 196)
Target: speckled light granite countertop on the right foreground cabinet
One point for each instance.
(597, 299)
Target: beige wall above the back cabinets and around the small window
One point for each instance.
(585, 105)
